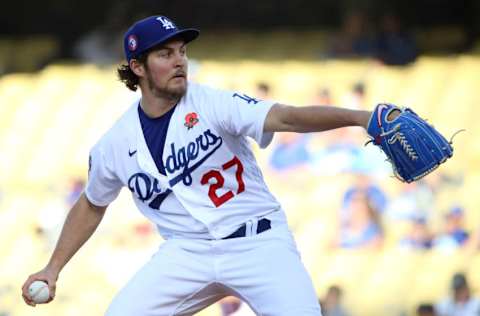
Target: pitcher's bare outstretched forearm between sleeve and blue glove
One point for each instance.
(287, 118)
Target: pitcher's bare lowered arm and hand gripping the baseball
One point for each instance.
(81, 222)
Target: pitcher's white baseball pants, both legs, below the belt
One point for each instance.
(187, 275)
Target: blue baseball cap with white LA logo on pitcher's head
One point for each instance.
(152, 31)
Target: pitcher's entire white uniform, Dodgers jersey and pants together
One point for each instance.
(211, 186)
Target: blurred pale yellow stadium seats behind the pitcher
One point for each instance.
(50, 119)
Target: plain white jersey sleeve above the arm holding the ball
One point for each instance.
(103, 185)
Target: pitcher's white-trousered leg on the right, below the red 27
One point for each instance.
(266, 271)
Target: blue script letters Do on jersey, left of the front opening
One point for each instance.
(146, 187)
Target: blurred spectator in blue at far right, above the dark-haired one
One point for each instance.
(454, 234)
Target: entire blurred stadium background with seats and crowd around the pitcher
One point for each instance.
(373, 245)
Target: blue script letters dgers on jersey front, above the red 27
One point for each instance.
(180, 159)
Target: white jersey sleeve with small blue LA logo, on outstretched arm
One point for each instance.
(240, 114)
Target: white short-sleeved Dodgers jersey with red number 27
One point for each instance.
(212, 183)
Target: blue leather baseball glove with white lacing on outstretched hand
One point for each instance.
(414, 147)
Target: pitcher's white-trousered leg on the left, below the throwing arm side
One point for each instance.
(176, 281)
